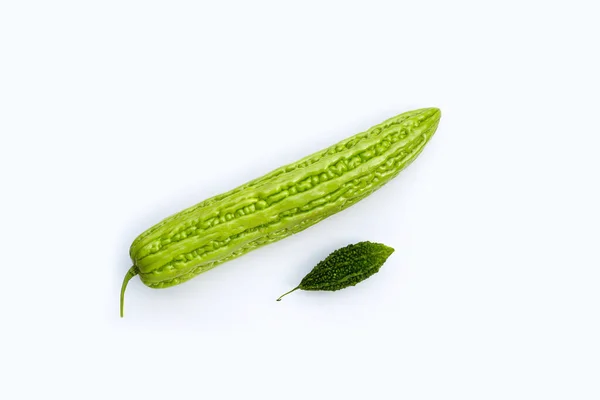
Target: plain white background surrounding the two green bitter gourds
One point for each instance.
(116, 114)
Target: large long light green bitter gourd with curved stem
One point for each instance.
(280, 203)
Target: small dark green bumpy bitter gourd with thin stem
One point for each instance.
(345, 267)
